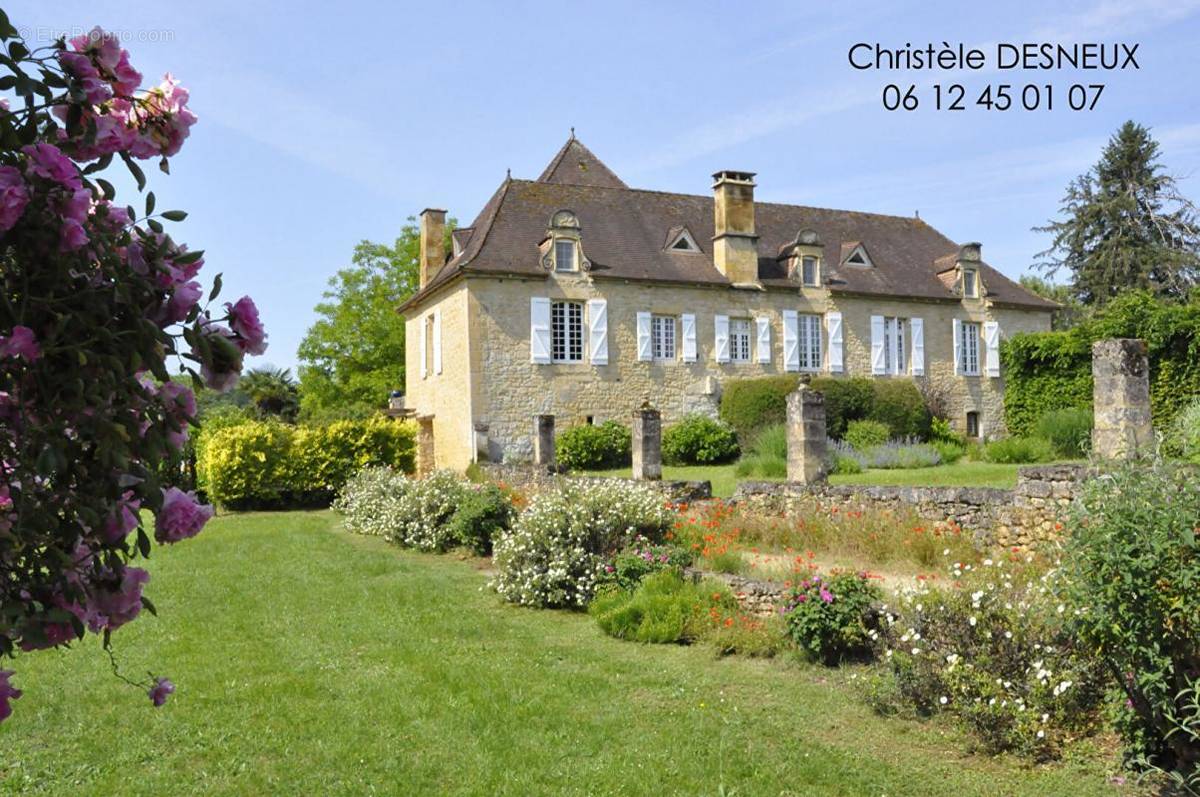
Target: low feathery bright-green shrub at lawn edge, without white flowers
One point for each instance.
(664, 608)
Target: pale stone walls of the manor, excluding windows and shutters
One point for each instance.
(489, 379)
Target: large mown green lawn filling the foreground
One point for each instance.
(313, 662)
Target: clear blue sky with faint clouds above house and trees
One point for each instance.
(325, 125)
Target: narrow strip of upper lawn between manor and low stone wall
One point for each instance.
(961, 475)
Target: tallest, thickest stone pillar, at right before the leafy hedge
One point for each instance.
(1121, 399)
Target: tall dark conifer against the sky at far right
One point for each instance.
(1126, 226)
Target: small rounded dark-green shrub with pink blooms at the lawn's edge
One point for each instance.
(833, 619)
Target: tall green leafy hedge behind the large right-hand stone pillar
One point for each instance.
(1054, 370)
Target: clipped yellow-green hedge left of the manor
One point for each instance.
(269, 465)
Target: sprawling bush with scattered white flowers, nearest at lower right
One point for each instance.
(998, 654)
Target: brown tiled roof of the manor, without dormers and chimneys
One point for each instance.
(623, 231)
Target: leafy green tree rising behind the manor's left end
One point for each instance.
(353, 357)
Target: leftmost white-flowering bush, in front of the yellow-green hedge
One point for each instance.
(416, 513)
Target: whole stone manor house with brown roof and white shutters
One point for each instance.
(579, 297)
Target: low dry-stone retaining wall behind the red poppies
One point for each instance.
(1027, 517)
